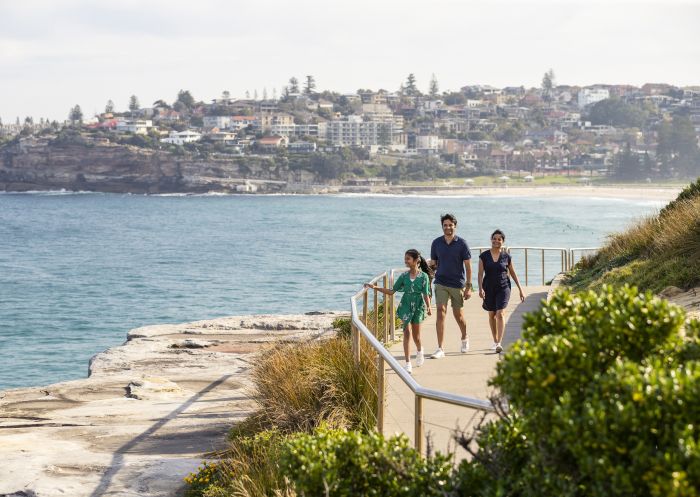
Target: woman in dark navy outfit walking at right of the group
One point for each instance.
(495, 270)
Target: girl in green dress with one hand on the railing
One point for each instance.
(415, 285)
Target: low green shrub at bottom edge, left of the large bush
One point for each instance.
(348, 463)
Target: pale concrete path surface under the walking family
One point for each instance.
(464, 374)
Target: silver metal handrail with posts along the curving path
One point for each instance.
(360, 330)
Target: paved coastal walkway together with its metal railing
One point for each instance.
(445, 396)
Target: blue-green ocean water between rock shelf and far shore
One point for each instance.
(77, 271)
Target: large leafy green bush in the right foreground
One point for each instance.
(604, 392)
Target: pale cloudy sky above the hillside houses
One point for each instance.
(55, 54)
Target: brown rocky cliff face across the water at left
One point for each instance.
(37, 164)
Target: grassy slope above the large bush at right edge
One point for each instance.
(660, 251)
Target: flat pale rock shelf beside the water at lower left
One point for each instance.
(147, 414)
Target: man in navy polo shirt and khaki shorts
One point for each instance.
(453, 277)
